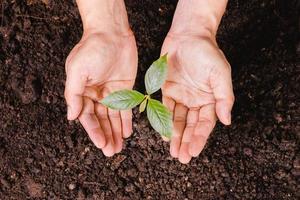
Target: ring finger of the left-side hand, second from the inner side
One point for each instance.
(116, 125)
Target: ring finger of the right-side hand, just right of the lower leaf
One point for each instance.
(179, 119)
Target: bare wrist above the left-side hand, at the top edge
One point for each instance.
(104, 16)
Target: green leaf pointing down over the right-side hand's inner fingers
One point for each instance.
(160, 117)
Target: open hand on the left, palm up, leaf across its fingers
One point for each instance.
(98, 65)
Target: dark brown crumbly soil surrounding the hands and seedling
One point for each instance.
(43, 156)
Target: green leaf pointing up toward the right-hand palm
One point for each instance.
(156, 75)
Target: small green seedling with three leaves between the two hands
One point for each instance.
(159, 116)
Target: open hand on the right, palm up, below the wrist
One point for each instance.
(198, 90)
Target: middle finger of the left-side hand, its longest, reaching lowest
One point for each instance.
(102, 114)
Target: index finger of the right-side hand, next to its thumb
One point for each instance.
(205, 125)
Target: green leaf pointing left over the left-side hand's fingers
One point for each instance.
(123, 99)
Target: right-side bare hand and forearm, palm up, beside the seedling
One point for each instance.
(198, 89)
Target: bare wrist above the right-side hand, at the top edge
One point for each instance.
(198, 17)
